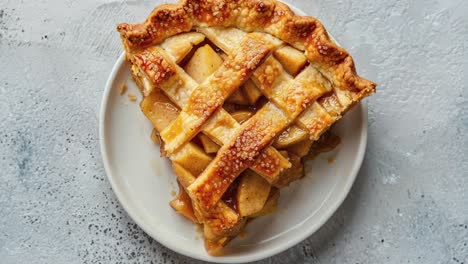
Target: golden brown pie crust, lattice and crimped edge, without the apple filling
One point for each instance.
(318, 96)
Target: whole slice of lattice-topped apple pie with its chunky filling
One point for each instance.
(238, 91)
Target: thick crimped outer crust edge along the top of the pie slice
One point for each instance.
(270, 16)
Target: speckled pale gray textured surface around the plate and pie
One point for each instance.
(408, 205)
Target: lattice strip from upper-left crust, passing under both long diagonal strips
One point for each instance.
(178, 86)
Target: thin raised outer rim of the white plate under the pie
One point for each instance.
(309, 230)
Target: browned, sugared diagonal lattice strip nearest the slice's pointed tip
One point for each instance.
(238, 154)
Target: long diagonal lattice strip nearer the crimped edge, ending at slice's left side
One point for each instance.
(211, 94)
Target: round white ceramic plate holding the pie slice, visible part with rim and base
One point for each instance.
(143, 182)
